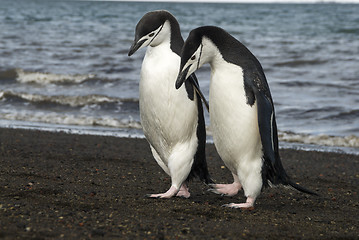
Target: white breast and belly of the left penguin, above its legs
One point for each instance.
(168, 117)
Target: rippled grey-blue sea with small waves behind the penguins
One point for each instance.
(64, 64)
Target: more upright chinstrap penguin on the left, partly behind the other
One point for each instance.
(172, 120)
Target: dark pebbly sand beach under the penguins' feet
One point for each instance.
(58, 185)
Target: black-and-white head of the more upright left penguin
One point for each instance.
(151, 30)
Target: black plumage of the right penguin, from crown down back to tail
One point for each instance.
(256, 90)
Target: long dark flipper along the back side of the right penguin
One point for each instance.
(266, 119)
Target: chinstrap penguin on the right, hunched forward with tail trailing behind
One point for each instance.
(241, 112)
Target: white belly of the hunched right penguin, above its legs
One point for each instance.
(233, 122)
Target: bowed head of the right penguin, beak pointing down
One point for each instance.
(197, 50)
